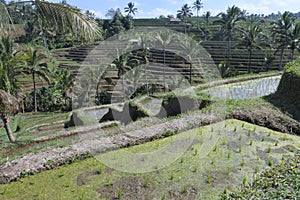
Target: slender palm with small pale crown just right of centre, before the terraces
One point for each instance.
(164, 38)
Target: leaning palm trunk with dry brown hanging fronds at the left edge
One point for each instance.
(8, 107)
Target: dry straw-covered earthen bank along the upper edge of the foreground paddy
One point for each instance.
(53, 157)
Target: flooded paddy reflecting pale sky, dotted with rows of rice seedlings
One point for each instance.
(246, 89)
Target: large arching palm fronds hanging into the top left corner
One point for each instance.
(54, 15)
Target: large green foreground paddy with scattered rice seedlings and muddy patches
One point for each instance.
(237, 151)
